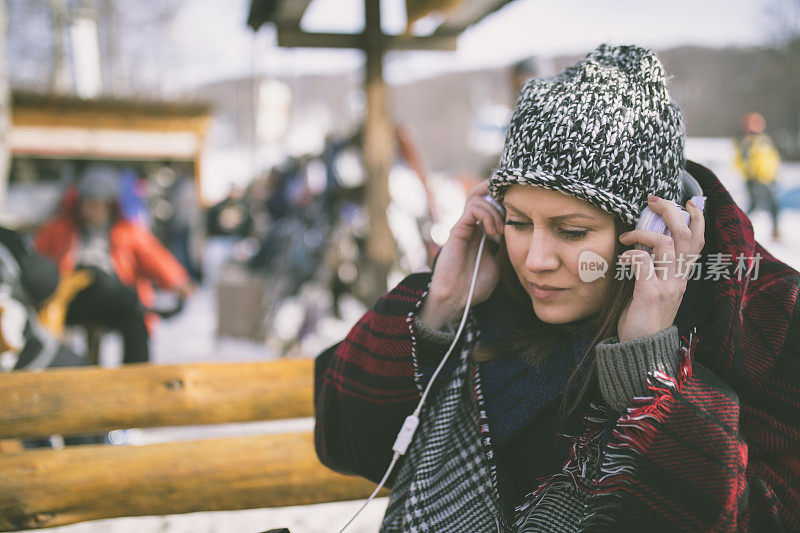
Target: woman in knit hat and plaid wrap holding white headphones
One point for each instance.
(667, 399)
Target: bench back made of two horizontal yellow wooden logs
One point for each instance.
(45, 488)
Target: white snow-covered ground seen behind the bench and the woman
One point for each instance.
(190, 337)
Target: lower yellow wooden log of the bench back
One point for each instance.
(56, 487)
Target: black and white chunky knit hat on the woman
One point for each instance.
(604, 130)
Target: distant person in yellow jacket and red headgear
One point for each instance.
(758, 161)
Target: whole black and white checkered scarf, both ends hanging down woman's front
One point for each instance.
(447, 480)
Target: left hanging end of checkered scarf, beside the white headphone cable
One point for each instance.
(444, 480)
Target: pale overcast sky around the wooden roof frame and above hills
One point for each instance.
(521, 29)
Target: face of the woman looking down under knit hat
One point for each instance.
(546, 233)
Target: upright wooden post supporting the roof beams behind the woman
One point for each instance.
(379, 150)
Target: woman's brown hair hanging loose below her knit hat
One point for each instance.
(535, 342)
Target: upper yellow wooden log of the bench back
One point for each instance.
(85, 400)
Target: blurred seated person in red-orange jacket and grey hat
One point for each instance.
(125, 259)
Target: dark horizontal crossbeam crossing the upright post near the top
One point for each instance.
(293, 38)
